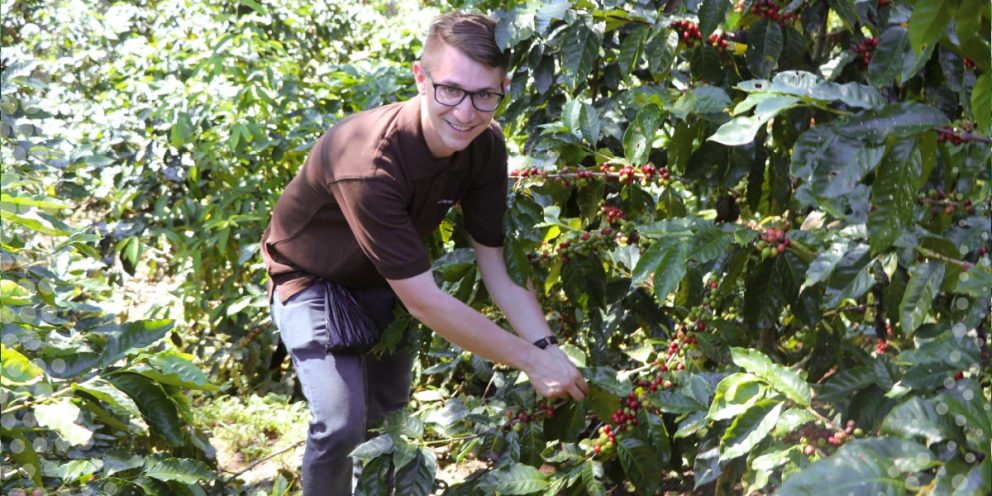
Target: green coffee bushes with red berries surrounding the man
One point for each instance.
(145, 144)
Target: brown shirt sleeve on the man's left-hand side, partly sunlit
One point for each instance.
(375, 211)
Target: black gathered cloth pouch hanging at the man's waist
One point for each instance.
(350, 328)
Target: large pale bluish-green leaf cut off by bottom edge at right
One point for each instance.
(862, 467)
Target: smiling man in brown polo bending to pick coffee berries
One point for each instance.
(372, 187)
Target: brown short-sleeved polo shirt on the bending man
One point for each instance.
(370, 191)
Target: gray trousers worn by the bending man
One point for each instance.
(345, 393)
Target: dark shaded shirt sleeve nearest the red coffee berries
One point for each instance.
(484, 203)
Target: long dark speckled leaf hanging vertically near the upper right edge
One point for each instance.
(894, 195)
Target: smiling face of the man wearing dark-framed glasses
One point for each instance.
(450, 129)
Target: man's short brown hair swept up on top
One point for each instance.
(473, 34)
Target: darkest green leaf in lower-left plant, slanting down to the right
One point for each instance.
(158, 411)
